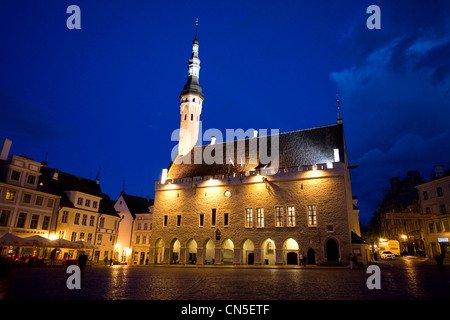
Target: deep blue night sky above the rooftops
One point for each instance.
(107, 95)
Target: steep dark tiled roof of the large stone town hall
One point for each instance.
(296, 148)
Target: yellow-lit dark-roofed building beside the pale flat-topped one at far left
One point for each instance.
(84, 214)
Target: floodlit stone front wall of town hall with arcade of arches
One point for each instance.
(199, 218)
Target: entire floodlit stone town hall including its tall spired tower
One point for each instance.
(242, 209)
